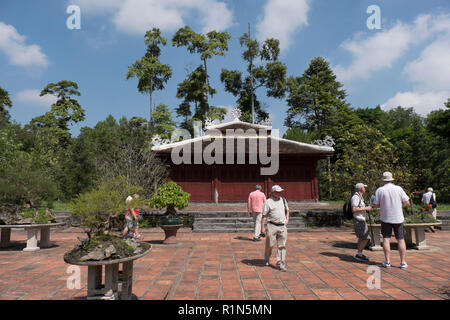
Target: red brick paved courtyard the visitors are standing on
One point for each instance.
(320, 265)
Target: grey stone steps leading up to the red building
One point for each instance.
(227, 221)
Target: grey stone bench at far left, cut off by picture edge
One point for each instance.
(32, 231)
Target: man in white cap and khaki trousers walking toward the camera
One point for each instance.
(276, 212)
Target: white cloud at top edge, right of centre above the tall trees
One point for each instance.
(282, 18)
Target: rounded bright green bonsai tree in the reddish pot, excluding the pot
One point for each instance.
(171, 196)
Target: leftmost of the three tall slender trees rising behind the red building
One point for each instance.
(152, 74)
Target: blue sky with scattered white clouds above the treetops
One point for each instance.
(406, 62)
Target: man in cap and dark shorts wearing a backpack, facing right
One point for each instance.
(359, 218)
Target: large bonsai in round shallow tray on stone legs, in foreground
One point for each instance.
(97, 208)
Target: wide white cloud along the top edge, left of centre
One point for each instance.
(138, 16)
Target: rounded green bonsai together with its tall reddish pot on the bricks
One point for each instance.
(170, 196)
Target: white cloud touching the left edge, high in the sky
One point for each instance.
(19, 53)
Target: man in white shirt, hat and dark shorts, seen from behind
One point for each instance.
(391, 199)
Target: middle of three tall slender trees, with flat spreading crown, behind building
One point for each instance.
(212, 44)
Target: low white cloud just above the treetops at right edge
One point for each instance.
(422, 102)
